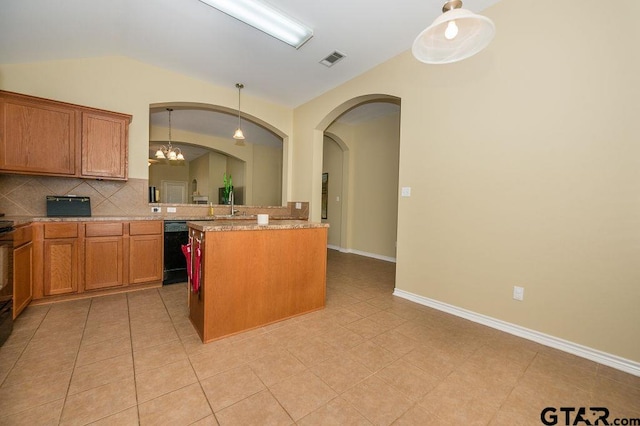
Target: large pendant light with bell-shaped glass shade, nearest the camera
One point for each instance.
(455, 35)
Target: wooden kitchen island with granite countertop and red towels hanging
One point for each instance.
(248, 275)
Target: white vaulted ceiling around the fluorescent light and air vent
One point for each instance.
(192, 38)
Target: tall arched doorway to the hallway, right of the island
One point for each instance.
(362, 206)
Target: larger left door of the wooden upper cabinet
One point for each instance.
(37, 137)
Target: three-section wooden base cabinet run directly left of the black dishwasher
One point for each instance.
(71, 258)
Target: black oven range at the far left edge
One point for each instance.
(6, 279)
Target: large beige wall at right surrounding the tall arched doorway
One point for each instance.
(524, 168)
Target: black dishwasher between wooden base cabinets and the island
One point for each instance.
(176, 234)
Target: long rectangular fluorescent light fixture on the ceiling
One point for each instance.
(266, 18)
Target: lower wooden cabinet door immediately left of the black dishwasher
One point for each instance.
(145, 258)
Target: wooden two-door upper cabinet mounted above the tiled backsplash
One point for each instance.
(46, 137)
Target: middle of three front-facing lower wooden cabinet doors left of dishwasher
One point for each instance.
(103, 263)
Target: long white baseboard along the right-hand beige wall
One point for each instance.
(600, 357)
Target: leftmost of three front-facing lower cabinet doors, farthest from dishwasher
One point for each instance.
(60, 266)
